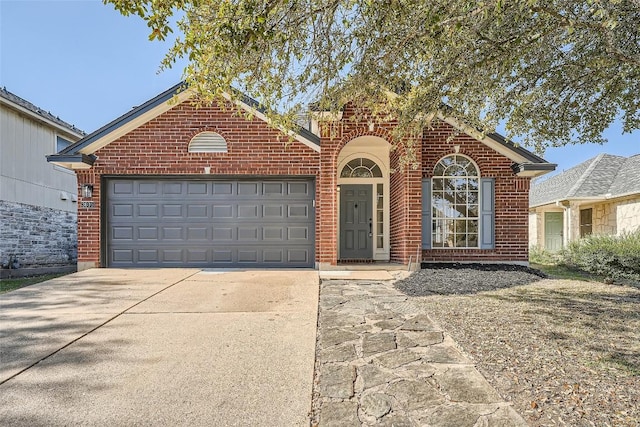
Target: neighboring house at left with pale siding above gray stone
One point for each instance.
(38, 200)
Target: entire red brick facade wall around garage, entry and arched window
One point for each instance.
(160, 147)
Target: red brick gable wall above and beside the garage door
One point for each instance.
(160, 147)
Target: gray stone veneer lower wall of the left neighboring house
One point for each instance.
(37, 236)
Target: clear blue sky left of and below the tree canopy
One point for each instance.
(87, 64)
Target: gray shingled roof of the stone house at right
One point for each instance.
(602, 176)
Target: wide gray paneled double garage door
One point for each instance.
(217, 223)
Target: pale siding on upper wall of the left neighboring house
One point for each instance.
(25, 175)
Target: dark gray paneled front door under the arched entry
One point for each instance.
(355, 222)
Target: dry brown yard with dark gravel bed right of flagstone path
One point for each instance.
(564, 352)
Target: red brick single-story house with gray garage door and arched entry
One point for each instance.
(175, 185)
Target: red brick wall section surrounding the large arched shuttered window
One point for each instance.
(511, 198)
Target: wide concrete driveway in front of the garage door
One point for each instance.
(160, 347)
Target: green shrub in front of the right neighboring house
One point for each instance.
(615, 257)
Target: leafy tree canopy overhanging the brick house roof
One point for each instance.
(553, 71)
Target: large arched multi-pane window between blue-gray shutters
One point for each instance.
(454, 202)
